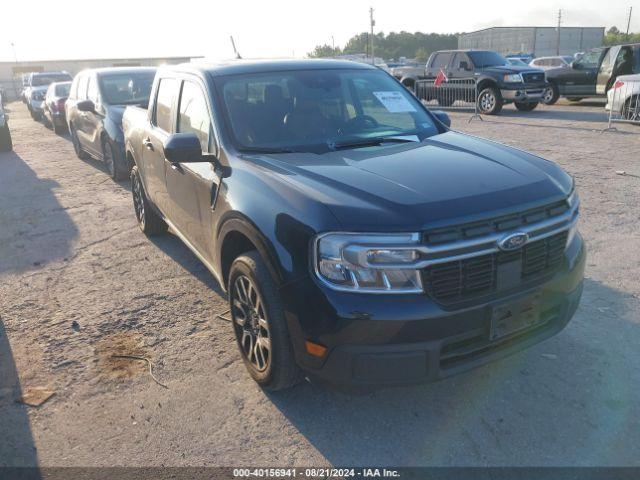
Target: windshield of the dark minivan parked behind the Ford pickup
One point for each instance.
(127, 88)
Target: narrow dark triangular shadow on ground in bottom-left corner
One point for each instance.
(17, 448)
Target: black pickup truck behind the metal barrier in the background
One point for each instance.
(498, 82)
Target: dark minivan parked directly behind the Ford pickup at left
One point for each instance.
(94, 109)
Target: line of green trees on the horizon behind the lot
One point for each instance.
(393, 45)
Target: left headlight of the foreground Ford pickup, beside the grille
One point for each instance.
(370, 263)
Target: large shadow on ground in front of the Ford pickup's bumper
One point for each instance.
(569, 401)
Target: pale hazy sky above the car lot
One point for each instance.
(261, 28)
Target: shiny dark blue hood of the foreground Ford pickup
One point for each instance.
(448, 178)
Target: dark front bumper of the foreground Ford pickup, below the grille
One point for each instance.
(390, 340)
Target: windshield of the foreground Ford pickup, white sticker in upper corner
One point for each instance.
(315, 110)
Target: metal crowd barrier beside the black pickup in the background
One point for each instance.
(451, 94)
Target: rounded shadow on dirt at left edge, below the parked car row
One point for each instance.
(34, 227)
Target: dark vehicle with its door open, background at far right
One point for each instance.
(593, 74)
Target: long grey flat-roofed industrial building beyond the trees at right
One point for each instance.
(539, 41)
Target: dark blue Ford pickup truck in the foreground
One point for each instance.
(360, 241)
